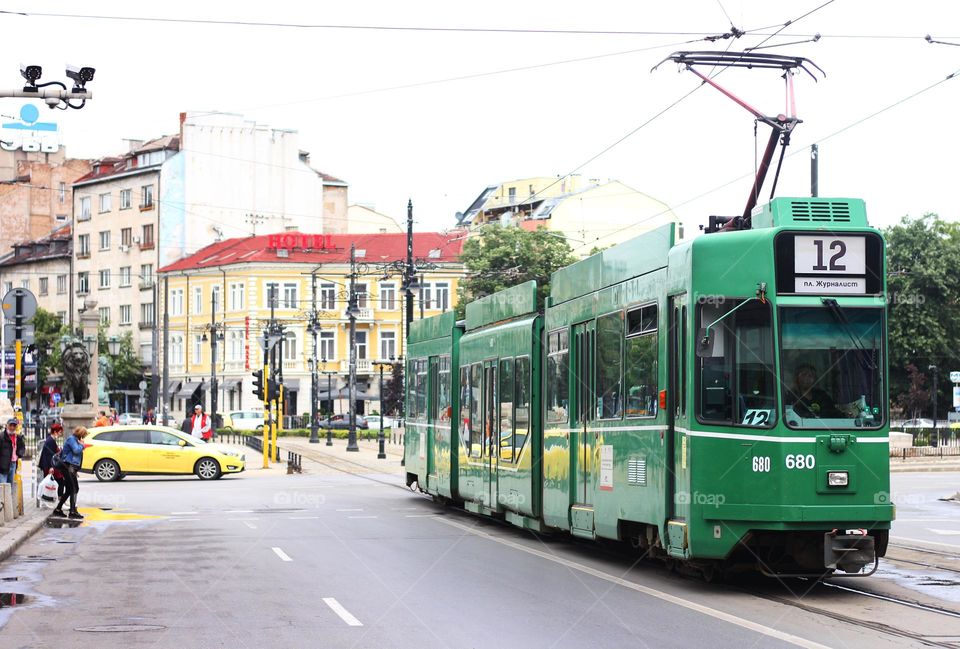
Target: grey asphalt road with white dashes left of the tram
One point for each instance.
(335, 560)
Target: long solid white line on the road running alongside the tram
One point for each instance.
(673, 599)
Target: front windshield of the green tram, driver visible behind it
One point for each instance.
(832, 369)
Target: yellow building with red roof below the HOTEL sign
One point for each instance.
(225, 288)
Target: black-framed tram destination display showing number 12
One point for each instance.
(827, 263)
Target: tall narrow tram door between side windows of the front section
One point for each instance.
(583, 441)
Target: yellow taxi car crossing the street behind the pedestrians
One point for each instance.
(115, 452)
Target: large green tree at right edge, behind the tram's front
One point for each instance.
(923, 260)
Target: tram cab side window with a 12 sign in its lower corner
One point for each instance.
(735, 378)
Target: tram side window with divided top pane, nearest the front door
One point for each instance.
(640, 358)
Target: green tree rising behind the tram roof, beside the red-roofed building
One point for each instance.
(502, 257)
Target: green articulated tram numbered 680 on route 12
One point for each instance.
(720, 402)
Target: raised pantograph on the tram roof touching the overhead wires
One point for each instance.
(782, 125)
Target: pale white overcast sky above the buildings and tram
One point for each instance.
(442, 143)
